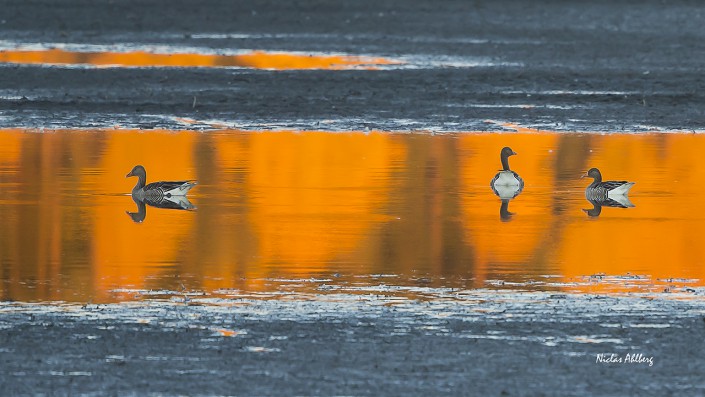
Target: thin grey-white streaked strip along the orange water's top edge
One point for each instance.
(50, 120)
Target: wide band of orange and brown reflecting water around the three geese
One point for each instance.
(307, 211)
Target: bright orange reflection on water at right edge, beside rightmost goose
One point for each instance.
(664, 231)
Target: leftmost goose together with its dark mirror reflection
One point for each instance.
(163, 194)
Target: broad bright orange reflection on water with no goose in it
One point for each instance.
(315, 196)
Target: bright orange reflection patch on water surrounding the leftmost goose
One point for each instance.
(130, 254)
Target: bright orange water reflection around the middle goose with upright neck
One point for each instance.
(532, 205)
